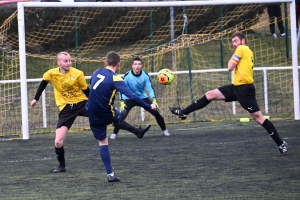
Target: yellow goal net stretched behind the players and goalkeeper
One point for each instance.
(192, 39)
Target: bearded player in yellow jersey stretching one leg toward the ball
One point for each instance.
(242, 90)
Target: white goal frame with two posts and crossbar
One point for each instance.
(22, 42)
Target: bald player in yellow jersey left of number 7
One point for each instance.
(69, 83)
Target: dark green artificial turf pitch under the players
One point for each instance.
(201, 160)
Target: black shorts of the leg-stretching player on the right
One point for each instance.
(244, 94)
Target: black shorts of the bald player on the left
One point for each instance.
(69, 113)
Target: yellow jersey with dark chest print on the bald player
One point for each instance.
(67, 87)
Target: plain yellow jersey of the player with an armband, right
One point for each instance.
(243, 72)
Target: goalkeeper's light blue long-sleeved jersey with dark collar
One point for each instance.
(137, 84)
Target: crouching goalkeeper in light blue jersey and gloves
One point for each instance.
(137, 81)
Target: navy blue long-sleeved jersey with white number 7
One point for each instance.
(104, 86)
